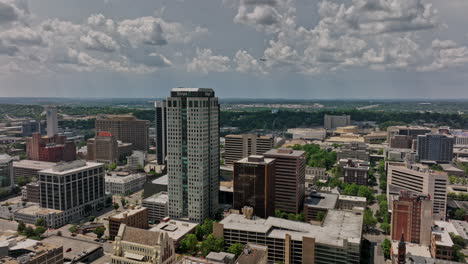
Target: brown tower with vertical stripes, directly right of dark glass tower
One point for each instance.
(289, 179)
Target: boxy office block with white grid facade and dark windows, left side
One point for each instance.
(76, 188)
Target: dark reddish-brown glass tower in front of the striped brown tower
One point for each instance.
(254, 185)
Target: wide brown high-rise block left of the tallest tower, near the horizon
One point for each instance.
(126, 129)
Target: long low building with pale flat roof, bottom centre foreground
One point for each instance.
(337, 240)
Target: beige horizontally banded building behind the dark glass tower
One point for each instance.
(241, 146)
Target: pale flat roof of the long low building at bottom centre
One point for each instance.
(337, 227)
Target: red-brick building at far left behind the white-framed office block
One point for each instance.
(50, 149)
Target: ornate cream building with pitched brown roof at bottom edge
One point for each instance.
(133, 245)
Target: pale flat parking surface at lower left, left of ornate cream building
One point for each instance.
(77, 246)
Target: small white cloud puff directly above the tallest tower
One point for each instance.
(206, 62)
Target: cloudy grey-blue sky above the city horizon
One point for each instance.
(241, 48)
